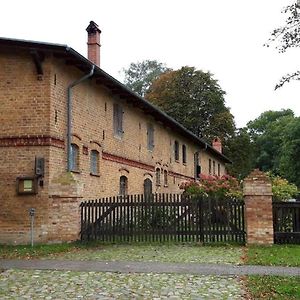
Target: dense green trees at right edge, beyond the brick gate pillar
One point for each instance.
(276, 144)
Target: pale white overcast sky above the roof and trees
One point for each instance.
(223, 37)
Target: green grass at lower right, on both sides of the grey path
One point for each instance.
(274, 287)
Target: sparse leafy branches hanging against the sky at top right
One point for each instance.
(288, 36)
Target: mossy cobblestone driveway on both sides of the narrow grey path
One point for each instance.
(37, 284)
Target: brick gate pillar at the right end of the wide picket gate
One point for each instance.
(257, 190)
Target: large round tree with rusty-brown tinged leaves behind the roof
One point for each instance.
(195, 100)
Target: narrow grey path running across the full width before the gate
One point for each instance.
(148, 267)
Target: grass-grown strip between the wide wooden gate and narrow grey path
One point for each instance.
(189, 253)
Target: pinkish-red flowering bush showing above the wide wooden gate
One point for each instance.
(214, 186)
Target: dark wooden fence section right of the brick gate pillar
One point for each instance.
(286, 222)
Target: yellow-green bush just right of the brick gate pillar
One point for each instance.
(282, 189)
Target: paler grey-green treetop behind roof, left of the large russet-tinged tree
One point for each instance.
(139, 76)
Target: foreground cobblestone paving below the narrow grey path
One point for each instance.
(38, 284)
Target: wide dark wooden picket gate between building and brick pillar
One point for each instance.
(163, 217)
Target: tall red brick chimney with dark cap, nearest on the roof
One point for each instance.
(94, 43)
